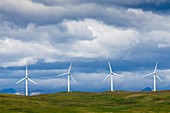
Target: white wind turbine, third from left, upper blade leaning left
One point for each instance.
(111, 74)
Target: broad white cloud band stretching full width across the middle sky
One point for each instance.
(71, 39)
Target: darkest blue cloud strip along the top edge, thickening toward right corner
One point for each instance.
(152, 5)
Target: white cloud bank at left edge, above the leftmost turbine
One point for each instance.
(19, 53)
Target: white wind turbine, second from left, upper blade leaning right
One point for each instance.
(69, 76)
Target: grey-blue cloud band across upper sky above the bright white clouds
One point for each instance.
(44, 15)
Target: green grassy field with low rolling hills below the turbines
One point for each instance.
(83, 102)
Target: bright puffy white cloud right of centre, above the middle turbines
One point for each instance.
(108, 42)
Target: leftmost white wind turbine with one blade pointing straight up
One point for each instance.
(26, 81)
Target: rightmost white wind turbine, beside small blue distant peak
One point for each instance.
(155, 76)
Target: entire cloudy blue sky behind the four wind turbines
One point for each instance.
(47, 35)
